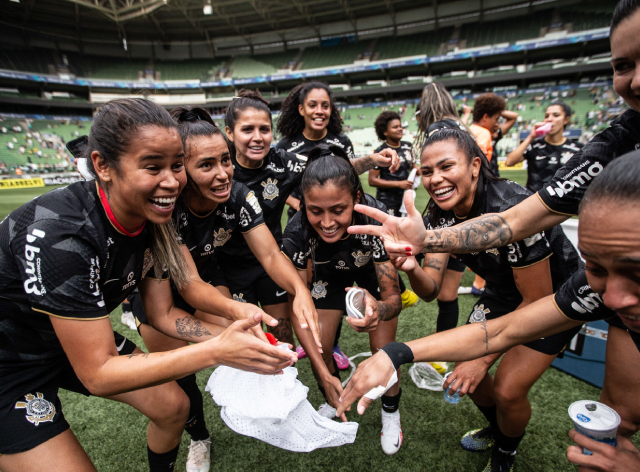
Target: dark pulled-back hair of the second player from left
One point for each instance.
(194, 122)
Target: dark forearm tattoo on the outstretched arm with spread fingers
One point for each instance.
(478, 234)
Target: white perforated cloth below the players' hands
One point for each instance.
(275, 409)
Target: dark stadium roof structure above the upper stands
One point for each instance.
(226, 24)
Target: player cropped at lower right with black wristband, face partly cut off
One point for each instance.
(609, 234)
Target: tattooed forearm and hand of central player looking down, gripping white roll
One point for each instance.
(389, 305)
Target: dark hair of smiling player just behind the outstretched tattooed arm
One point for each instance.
(468, 146)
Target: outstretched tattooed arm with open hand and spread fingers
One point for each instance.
(406, 236)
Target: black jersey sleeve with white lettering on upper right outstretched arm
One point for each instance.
(563, 193)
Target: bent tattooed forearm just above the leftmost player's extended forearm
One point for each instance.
(164, 316)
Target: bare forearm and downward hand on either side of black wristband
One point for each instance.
(539, 319)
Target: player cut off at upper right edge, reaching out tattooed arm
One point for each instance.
(559, 199)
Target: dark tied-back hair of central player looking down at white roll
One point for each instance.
(328, 164)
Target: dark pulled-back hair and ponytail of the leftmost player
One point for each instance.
(114, 128)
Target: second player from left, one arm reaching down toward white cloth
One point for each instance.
(210, 209)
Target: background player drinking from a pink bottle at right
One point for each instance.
(545, 155)
